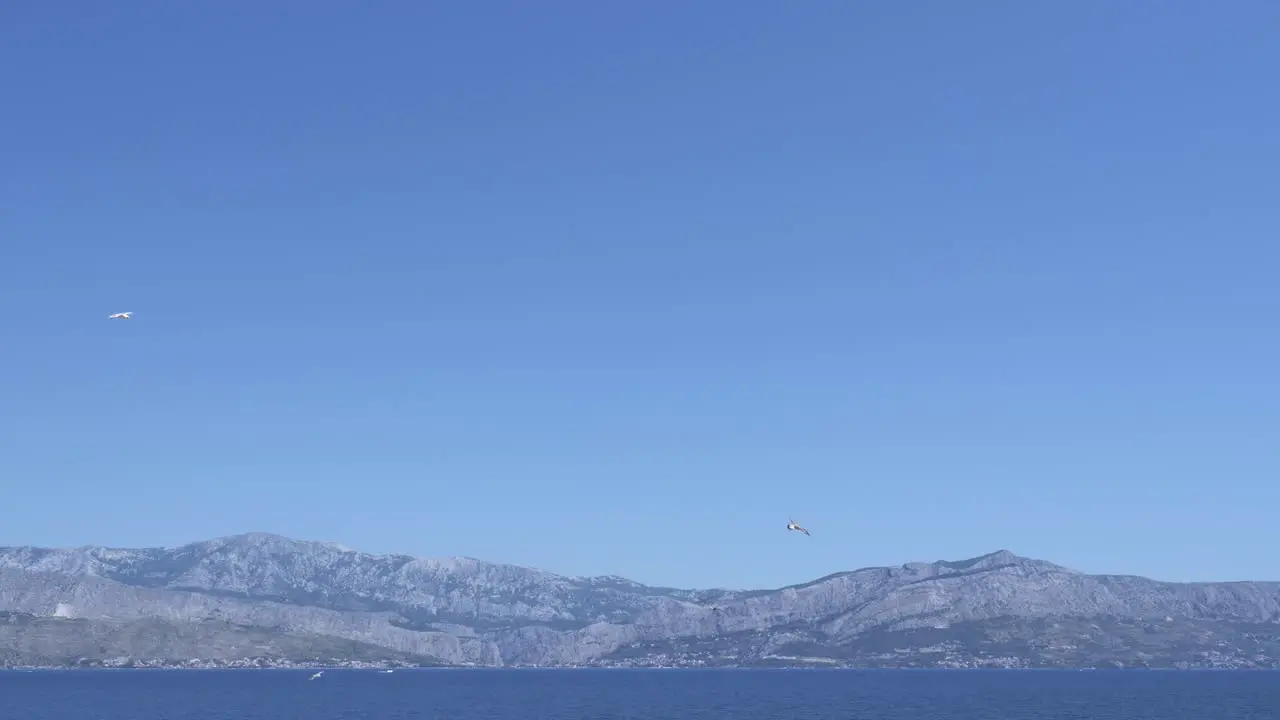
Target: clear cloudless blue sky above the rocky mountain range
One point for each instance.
(621, 288)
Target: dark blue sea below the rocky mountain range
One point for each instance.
(636, 695)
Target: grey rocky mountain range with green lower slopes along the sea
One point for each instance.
(278, 600)
